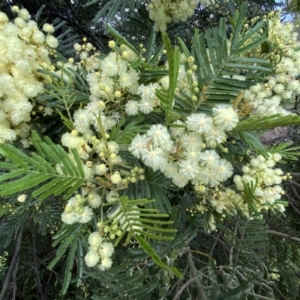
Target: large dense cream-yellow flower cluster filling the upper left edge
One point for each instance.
(23, 50)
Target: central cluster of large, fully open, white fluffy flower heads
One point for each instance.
(177, 151)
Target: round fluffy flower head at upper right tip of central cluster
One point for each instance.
(225, 116)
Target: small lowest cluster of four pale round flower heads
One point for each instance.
(99, 250)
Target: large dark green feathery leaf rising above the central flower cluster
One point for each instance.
(218, 59)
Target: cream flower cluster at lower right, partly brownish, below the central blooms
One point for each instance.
(260, 175)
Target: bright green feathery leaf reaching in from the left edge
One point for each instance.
(24, 172)
